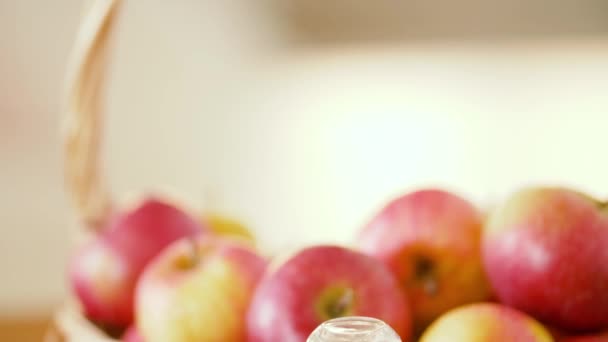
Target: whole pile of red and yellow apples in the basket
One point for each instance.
(429, 264)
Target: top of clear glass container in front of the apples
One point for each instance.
(354, 329)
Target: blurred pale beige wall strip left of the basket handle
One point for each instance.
(34, 41)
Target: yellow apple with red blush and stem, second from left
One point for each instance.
(198, 290)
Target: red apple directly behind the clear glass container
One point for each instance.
(321, 283)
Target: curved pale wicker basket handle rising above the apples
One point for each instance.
(83, 115)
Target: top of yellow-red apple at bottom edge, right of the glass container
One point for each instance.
(485, 322)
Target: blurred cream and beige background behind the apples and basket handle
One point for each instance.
(301, 118)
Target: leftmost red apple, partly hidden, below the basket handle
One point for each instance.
(104, 272)
